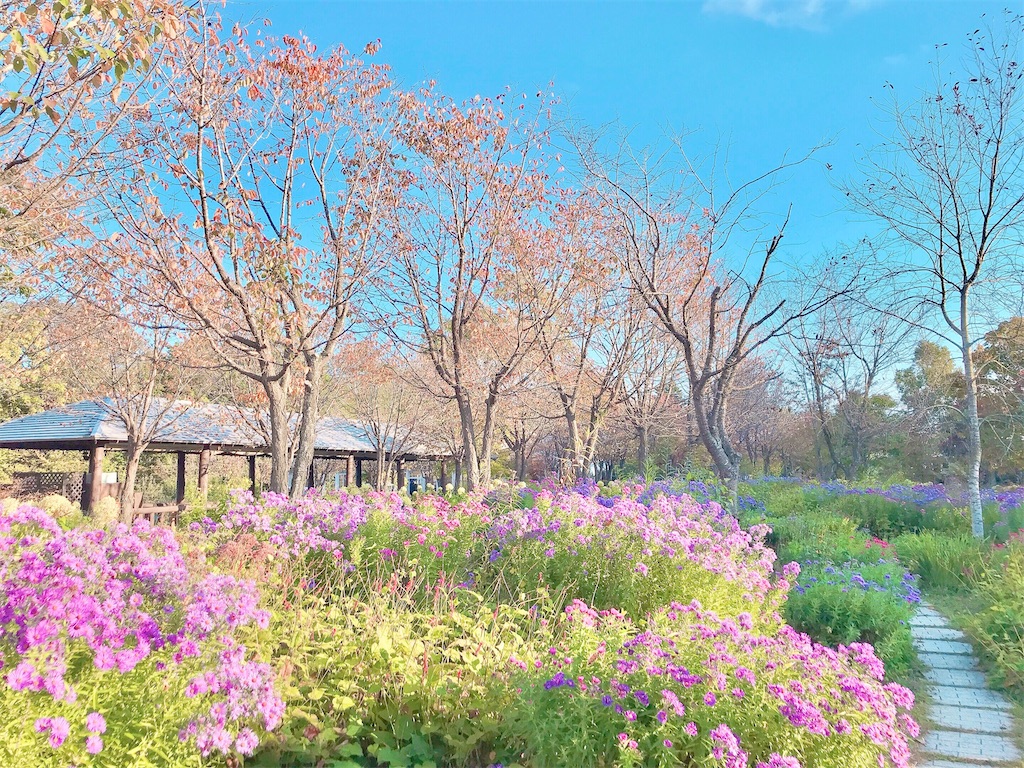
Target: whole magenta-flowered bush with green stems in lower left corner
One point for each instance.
(113, 649)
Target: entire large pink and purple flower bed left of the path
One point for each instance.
(524, 629)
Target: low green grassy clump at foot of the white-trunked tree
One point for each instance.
(946, 561)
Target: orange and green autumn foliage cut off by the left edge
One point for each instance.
(67, 72)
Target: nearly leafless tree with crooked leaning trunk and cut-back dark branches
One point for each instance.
(705, 262)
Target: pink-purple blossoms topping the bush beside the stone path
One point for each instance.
(688, 673)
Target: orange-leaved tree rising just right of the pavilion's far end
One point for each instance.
(483, 254)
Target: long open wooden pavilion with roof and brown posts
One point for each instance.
(206, 430)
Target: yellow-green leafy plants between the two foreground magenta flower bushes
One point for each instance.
(390, 668)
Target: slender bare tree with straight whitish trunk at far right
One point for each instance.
(948, 186)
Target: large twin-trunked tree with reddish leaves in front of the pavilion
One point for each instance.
(261, 174)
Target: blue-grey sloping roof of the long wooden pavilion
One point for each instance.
(186, 426)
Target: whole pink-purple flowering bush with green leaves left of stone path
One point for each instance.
(687, 688)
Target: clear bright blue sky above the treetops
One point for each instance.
(762, 77)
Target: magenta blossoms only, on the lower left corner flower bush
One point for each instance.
(118, 598)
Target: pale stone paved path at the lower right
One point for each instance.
(971, 726)
